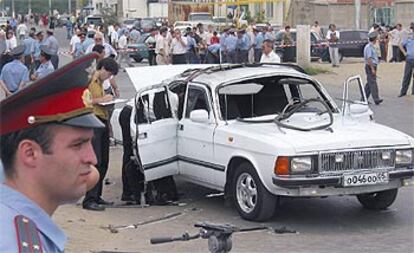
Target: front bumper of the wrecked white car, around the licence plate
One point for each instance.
(332, 185)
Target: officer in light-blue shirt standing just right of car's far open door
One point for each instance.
(371, 64)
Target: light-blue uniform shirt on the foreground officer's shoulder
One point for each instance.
(13, 204)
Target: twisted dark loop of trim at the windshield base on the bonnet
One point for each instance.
(290, 109)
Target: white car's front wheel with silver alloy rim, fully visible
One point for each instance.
(252, 200)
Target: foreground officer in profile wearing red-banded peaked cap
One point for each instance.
(47, 157)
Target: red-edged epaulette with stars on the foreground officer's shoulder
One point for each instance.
(28, 238)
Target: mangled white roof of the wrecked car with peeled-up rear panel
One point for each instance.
(211, 75)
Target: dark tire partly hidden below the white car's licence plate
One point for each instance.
(378, 200)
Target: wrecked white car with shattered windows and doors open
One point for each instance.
(264, 131)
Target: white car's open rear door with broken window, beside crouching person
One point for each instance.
(154, 128)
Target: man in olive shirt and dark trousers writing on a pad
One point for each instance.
(106, 68)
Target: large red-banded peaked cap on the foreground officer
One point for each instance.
(61, 97)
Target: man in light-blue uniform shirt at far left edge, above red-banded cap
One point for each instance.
(14, 75)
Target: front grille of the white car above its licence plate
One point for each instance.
(356, 160)
